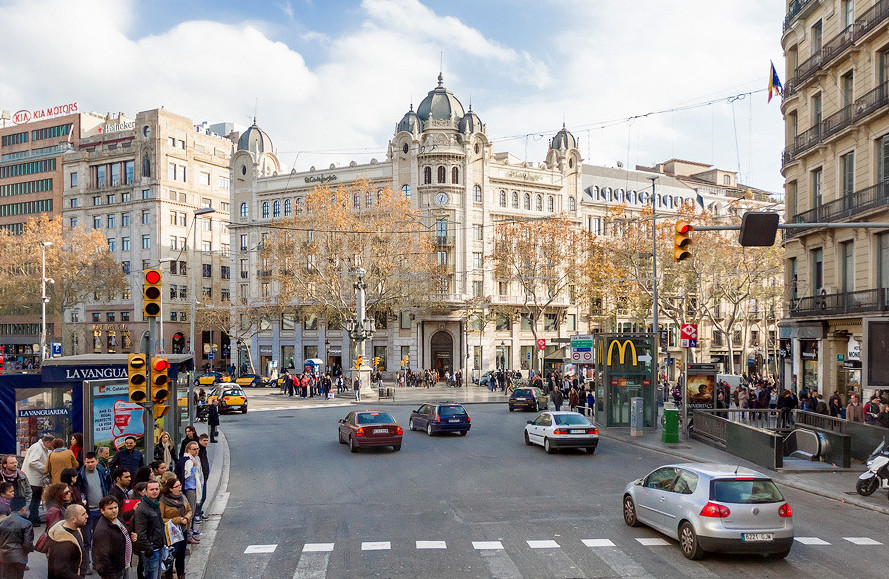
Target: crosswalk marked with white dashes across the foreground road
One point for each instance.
(560, 556)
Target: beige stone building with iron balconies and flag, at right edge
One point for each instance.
(836, 169)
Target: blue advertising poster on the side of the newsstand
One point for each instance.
(115, 417)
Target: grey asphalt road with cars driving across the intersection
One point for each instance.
(484, 505)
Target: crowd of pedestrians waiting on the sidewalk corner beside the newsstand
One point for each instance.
(104, 515)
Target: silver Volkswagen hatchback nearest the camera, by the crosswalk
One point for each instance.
(712, 507)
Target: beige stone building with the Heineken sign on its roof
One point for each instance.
(140, 182)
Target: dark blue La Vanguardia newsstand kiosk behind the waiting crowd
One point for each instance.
(51, 402)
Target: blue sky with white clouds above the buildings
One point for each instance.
(636, 82)
